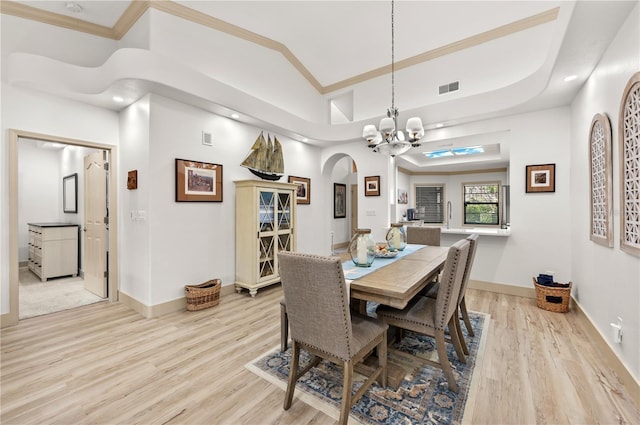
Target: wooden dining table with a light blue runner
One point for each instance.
(397, 280)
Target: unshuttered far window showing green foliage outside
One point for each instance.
(481, 203)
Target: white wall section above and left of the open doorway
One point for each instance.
(41, 113)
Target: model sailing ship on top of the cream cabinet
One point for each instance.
(265, 159)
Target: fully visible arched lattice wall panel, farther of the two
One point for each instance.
(600, 179)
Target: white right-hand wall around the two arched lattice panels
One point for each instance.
(607, 280)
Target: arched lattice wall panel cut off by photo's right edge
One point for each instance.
(629, 153)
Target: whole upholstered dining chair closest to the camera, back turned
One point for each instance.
(321, 322)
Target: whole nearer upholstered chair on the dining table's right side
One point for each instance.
(431, 317)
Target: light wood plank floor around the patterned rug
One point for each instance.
(105, 364)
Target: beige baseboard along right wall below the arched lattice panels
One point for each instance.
(610, 357)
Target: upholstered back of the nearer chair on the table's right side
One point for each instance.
(451, 282)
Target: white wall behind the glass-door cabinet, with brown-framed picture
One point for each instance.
(183, 243)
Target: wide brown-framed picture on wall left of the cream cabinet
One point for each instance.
(198, 181)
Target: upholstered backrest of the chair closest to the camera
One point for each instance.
(325, 322)
